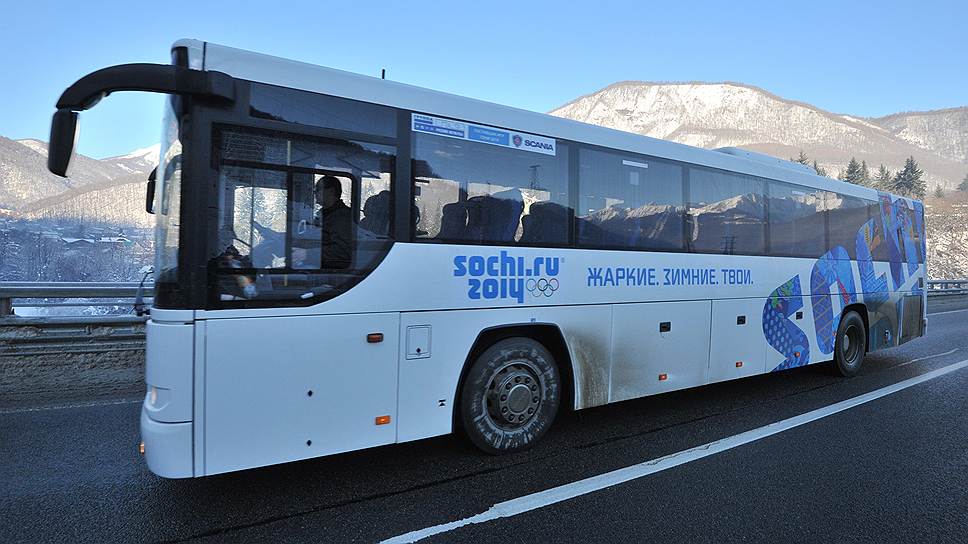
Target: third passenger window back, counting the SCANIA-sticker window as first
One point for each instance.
(727, 213)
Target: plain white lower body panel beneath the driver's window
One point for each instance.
(279, 389)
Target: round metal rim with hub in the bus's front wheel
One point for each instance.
(513, 395)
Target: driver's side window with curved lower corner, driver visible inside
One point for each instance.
(300, 219)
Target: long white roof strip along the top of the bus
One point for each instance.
(282, 72)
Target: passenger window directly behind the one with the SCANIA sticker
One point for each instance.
(629, 201)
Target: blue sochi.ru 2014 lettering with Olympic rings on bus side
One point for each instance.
(505, 277)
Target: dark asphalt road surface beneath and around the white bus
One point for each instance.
(892, 470)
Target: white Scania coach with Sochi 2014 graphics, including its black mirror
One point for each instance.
(345, 262)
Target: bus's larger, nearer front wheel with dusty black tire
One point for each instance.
(510, 396)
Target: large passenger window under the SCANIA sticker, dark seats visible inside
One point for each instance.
(472, 192)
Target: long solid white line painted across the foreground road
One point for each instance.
(565, 492)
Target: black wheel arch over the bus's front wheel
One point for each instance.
(548, 334)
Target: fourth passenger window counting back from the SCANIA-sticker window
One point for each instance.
(797, 221)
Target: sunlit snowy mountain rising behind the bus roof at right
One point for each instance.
(733, 114)
